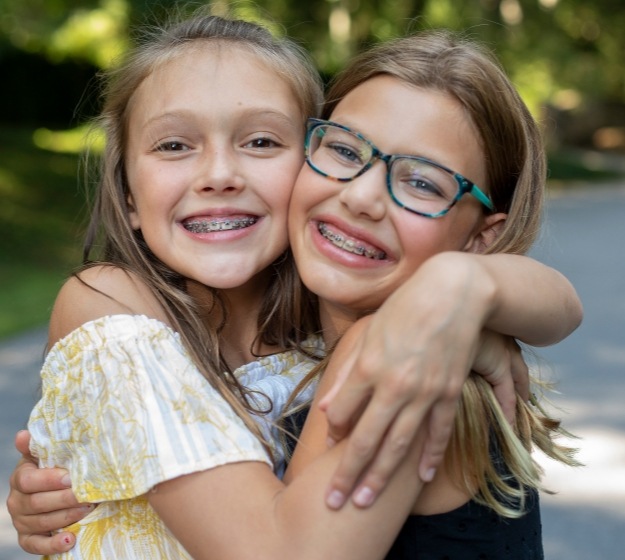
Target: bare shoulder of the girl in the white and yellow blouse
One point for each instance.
(97, 292)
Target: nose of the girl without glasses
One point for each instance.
(220, 171)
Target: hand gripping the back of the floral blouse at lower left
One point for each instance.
(41, 501)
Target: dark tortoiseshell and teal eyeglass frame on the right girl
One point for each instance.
(465, 186)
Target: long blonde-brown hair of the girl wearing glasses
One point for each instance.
(510, 138)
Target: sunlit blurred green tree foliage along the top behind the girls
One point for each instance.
(557, 51)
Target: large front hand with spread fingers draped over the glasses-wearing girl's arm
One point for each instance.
(410, 365)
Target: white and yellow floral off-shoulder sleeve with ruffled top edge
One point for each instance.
(123, 408)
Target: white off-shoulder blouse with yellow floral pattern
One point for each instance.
(123, 408)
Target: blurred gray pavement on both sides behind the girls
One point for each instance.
(584, 237)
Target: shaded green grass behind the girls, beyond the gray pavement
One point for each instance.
(42, 214)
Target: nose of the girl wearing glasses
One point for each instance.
(366, 195)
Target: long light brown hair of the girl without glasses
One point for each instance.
(289, 312)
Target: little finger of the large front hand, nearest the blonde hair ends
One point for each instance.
(440, 427)
